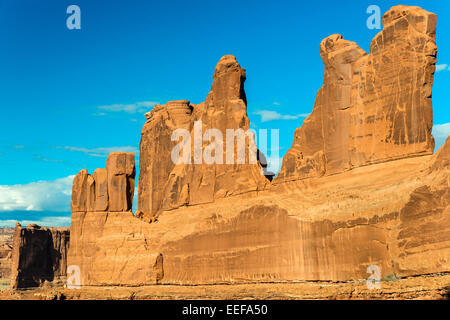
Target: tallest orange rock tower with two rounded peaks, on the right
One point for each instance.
(372, 107)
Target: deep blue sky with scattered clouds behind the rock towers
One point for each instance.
(69, 97)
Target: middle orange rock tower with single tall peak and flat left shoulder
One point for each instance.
(164, 184)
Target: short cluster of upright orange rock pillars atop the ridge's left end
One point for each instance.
(109, 189)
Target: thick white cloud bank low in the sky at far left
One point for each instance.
(37, 196)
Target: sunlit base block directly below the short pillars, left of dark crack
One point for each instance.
(114, 248)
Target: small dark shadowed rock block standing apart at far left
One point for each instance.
(39, 255)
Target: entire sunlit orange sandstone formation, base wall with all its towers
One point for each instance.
(310, 224)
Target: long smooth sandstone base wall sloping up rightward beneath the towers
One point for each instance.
(394, 215)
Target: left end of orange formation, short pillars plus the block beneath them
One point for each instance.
(112, 258)
